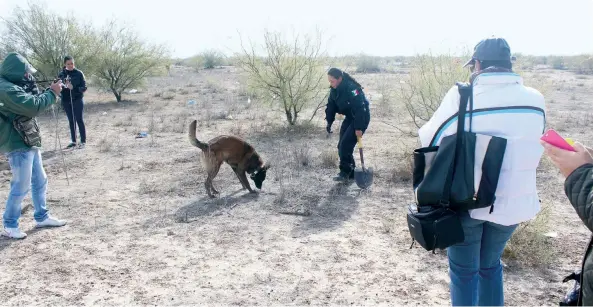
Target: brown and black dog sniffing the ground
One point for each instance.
(237, 153)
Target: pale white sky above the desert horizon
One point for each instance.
(373, 27)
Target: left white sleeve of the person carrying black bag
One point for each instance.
(449, 107)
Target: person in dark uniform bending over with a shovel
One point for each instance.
(347, 98)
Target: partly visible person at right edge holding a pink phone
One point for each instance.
(577, 168)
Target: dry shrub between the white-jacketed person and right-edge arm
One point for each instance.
(529, 245)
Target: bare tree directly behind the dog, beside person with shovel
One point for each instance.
(291, 73)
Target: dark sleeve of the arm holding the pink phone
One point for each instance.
(579, 189)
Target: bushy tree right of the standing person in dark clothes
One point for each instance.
(125, 60)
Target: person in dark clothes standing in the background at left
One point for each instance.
(72, 100)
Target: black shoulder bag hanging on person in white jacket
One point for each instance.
(444, 180)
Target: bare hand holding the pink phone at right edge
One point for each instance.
(568, 161)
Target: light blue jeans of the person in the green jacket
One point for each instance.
(27, 174)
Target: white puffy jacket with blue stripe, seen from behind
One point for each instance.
(503, 107)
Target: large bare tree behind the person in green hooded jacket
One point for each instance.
(45, 38)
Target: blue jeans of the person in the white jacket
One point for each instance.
(474, 265)
